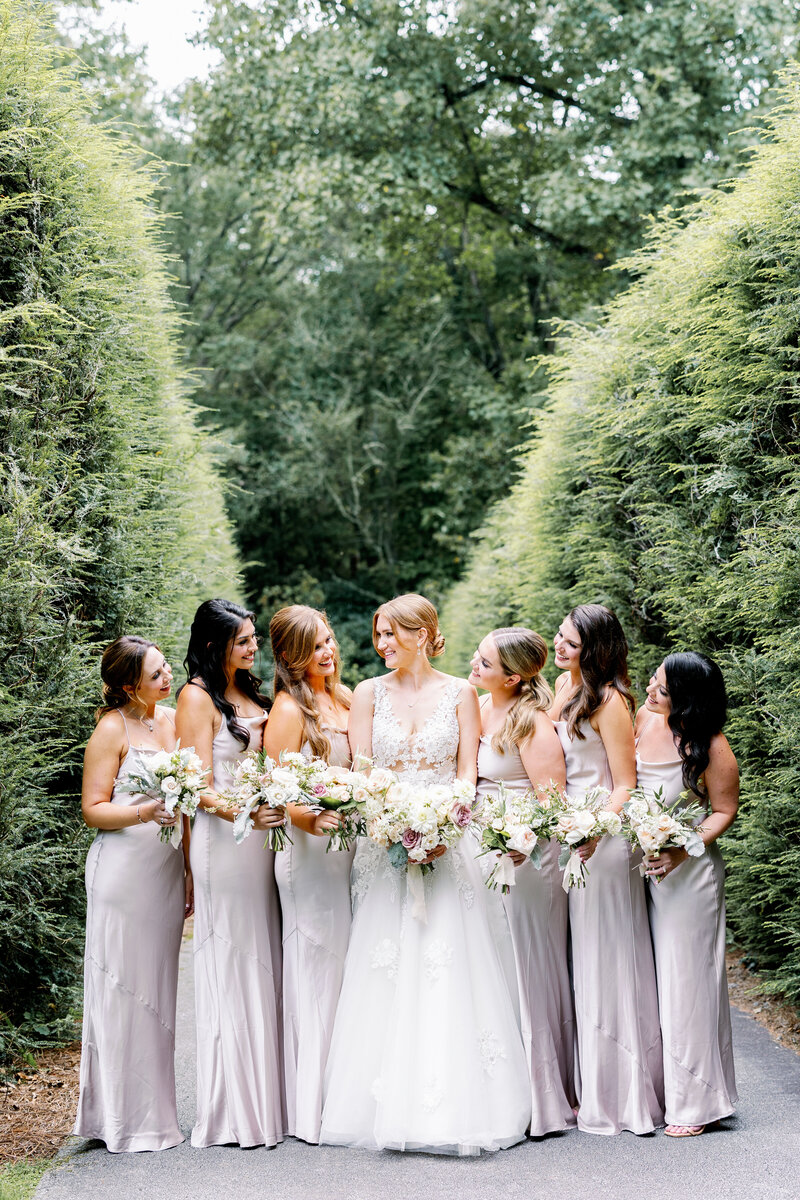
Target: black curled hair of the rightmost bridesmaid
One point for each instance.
(699, 710)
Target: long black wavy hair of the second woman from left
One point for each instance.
(214, 629)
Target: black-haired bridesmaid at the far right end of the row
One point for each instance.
(681, 748)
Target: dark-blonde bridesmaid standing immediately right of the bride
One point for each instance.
(521, 749)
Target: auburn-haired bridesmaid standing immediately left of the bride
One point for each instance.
(310, 715)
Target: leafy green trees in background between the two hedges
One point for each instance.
(382, 207)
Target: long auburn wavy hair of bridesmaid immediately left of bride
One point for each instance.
(293, 634)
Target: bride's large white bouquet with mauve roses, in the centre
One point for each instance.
(412, 820)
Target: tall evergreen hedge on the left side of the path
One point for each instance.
(111, 514)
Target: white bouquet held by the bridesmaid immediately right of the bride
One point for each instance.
(515, 821)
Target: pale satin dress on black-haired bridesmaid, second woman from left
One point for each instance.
(237, 973)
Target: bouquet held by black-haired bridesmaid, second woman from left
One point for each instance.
(257, 781)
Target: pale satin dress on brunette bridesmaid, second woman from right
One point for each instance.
(619, 1072)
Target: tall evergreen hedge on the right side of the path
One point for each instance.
(664, 479)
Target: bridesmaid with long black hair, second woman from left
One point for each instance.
(221, 712)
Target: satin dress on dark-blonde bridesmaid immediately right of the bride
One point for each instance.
(538, 911)
